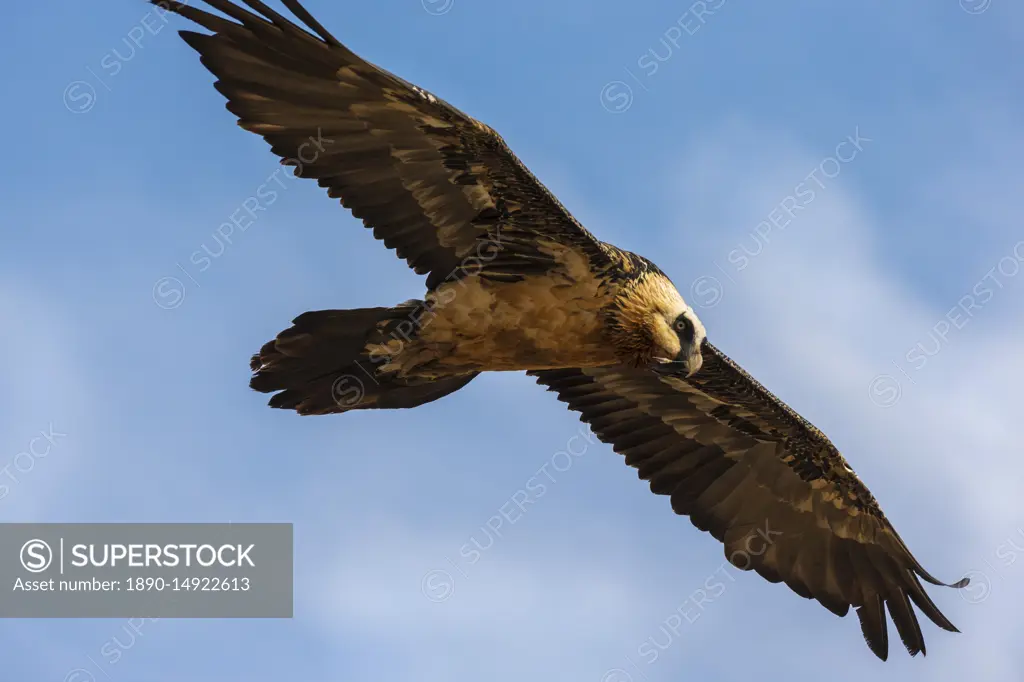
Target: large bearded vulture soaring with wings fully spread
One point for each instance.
(515, 282)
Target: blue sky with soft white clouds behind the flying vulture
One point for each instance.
(121, 165)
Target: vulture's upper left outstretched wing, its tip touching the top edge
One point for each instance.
(439, 187)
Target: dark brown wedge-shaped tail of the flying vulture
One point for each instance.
(320, 365)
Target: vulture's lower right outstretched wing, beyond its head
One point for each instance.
(747, 468)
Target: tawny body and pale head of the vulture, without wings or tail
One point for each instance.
(571, 316)
